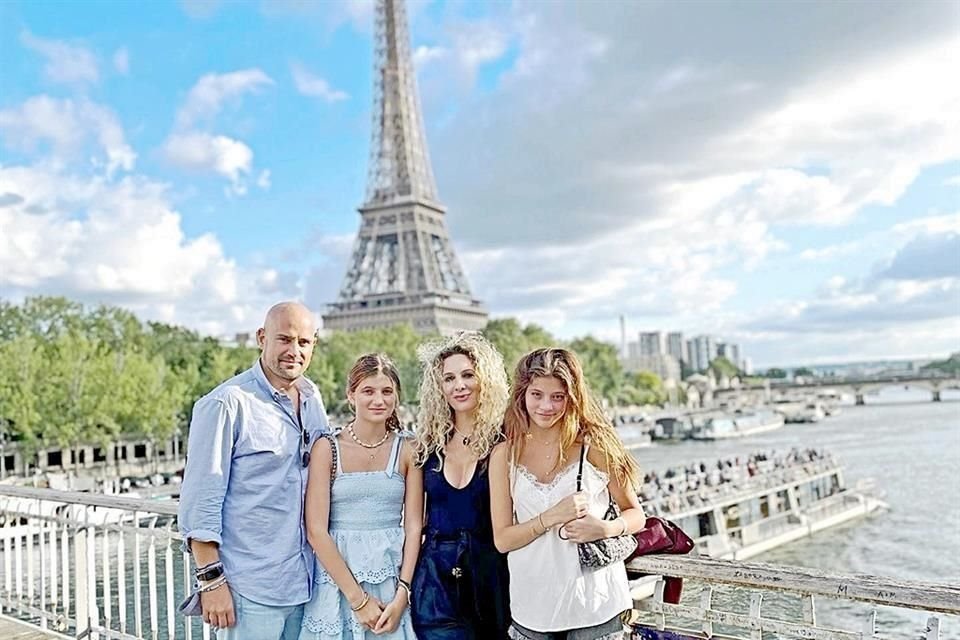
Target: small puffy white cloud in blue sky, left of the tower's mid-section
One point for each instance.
(203, 152)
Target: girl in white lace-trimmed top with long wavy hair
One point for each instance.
(533, 497)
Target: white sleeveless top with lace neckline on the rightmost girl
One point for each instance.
(549, 591)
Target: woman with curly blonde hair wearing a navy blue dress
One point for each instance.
(461, 581)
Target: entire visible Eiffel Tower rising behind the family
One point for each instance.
(403, 268)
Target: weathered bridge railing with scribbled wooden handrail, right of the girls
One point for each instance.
(733, 600)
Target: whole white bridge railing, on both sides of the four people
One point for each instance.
(89, 565)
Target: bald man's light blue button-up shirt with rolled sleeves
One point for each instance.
(244, 483)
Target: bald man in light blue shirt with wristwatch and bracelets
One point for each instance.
(241, 504)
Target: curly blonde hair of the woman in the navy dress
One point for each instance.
(435, 417)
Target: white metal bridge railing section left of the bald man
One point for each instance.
(93, 565)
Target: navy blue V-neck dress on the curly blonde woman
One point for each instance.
(461, 587)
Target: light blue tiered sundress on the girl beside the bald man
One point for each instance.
(365, 512)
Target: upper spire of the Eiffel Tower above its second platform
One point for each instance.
(399, 161)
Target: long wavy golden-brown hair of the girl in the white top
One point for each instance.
(582, 420)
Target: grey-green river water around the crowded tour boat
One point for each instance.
(910, 446)
